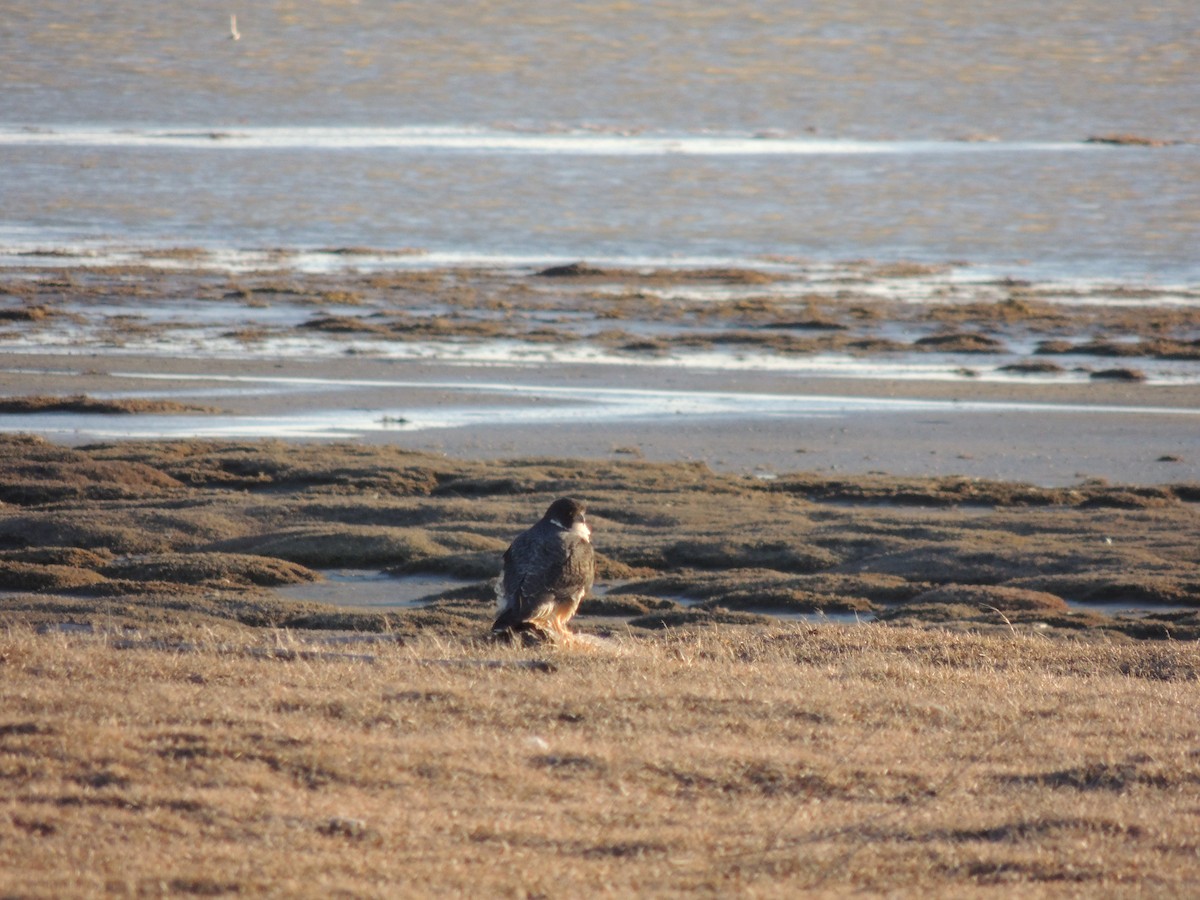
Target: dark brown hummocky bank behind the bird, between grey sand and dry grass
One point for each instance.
(195, 532)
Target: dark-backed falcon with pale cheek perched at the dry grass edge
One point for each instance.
(545, 574)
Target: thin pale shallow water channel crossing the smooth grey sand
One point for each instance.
(477, 405)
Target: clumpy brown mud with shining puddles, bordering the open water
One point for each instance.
(863, 310)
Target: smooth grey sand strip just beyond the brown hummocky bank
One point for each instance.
(1049, 435)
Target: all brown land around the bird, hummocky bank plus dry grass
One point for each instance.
(172, 725)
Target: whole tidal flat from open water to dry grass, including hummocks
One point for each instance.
(785, 439)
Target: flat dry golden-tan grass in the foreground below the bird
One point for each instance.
(735, 763)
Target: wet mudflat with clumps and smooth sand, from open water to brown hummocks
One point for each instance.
(907, 370)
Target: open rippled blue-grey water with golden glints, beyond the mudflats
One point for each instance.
(511, 131)
